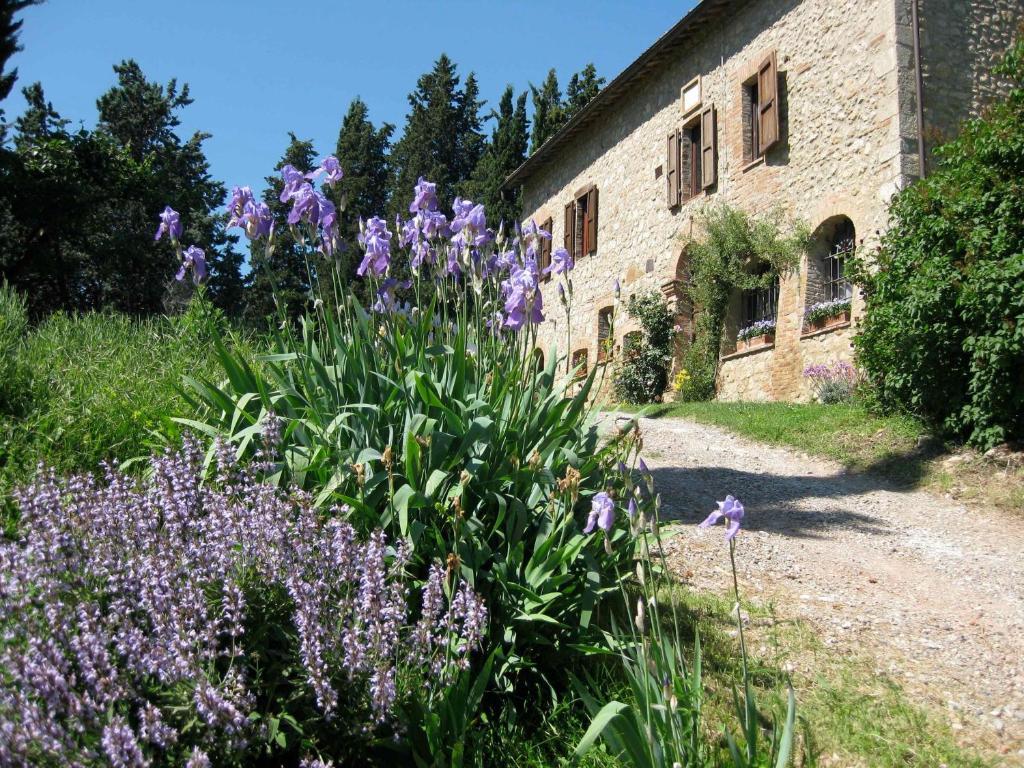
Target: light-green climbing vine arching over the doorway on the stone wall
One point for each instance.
(737, 252)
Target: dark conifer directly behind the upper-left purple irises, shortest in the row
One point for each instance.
(281, 281)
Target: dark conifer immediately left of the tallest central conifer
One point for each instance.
(363, 153)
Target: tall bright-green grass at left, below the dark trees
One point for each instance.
(77, 391)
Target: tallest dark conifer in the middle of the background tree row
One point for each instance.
(443, 140)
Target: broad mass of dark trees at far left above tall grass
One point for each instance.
(79, 209)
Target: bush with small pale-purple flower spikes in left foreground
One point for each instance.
(181, 621)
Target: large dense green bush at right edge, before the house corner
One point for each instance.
(944, 333)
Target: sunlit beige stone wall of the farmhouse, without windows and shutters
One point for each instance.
(843, 152)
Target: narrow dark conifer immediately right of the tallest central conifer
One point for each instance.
(505, 153)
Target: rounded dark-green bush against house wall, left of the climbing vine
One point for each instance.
(643, 376)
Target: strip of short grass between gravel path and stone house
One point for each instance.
(898, 448)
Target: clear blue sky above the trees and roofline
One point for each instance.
(260, 69)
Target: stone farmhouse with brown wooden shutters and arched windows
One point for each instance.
(823, 109)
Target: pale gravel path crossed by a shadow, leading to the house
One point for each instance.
(934, 593)
